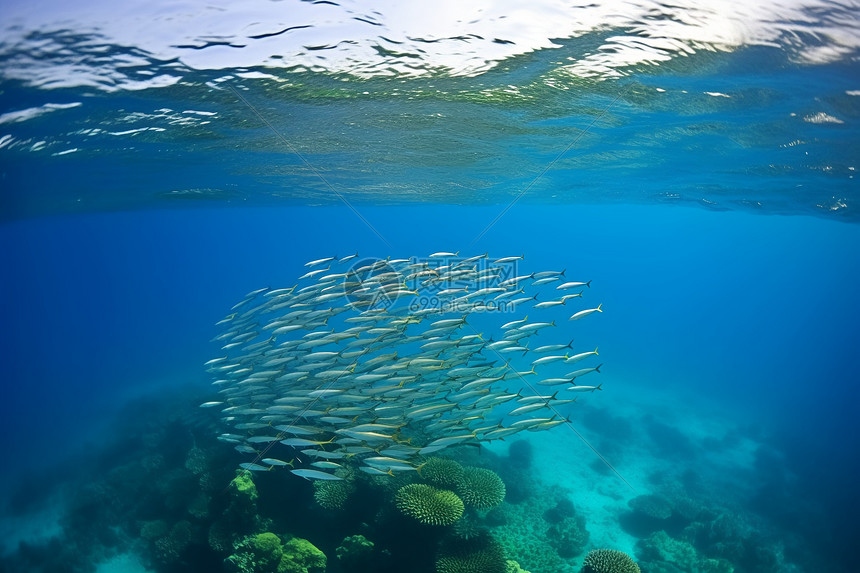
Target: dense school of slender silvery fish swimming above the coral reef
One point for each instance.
(378, 363)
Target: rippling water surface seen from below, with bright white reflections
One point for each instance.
(727, 105)
